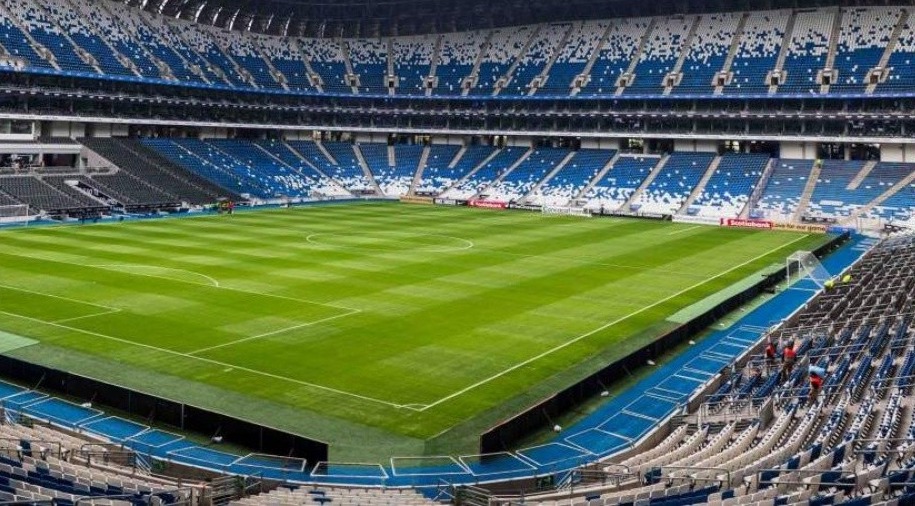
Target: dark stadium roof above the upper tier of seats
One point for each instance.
(372, 18)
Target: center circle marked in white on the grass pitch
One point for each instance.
(391, 241)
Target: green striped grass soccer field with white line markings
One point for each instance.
(380, 328)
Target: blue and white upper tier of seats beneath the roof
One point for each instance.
(103, 36)
